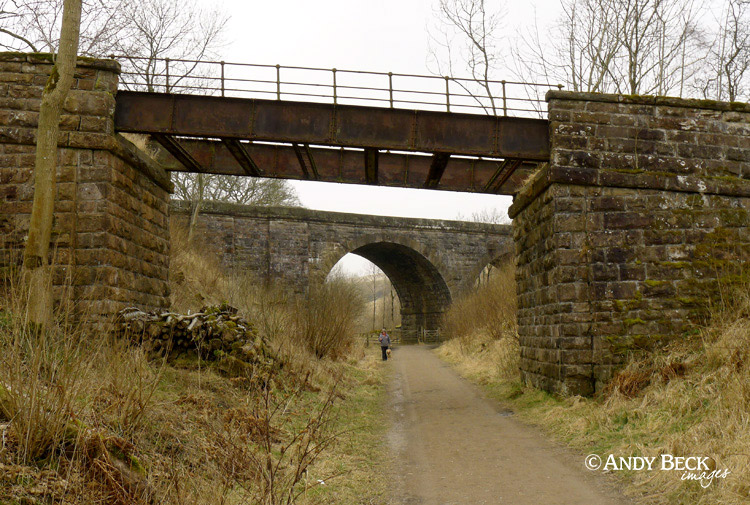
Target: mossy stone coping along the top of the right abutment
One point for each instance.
(689, 103)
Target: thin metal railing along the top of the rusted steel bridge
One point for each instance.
(337, 86)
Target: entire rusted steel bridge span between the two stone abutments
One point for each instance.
(219, 135)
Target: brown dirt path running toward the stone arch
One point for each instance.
(453, 446)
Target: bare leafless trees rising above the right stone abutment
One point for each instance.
(662, 47)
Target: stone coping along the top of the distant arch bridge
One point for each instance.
(302, 214)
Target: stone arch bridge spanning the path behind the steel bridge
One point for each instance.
(429, 262)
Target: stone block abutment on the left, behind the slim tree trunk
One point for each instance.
(110, 238)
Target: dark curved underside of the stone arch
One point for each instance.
(418, 284)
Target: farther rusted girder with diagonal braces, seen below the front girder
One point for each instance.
(349, 166)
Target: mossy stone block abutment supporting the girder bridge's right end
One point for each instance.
(627, 235)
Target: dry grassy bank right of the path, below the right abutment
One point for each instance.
(691, 399)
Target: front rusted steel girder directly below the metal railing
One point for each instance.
(331, 124)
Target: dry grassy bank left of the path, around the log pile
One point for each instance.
(86, 418)
